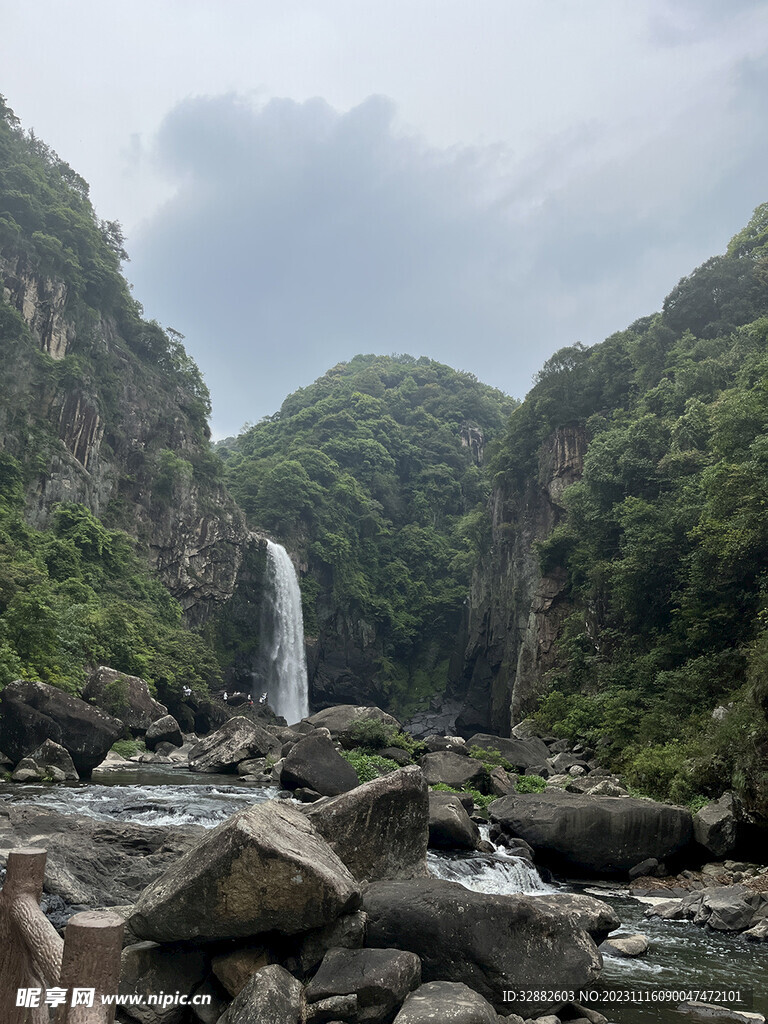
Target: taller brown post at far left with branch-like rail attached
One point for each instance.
(30, 947)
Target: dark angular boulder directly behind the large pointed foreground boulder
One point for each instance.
(379, 830)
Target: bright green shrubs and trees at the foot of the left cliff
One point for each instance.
(77, 594)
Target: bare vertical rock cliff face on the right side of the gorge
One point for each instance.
(516, 612)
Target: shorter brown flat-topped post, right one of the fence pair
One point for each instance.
(94, 943)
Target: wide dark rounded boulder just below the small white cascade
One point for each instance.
(489, 943)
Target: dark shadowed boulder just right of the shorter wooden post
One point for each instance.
(148, 969)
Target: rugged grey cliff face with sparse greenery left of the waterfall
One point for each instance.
(98, 425)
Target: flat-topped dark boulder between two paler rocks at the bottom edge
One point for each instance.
(379, 978)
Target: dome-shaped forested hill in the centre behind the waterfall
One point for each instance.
(369, 476)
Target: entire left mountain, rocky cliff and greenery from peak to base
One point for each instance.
(106, 466)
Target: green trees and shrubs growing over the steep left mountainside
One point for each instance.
(77, 593)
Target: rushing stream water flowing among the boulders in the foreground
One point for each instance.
(681, 956)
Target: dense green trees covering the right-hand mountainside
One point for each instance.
(666, 540)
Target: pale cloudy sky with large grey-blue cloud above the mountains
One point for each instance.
(482, 183)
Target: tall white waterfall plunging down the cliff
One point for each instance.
(283, 632)
